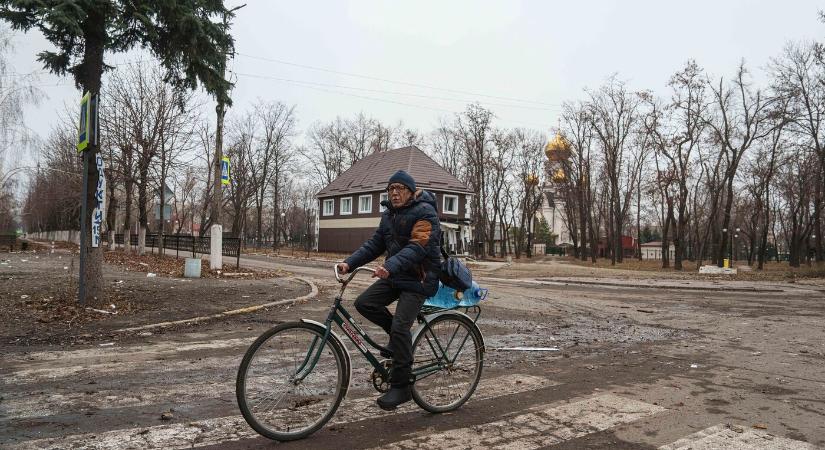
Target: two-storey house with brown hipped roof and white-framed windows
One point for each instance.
(350, 207)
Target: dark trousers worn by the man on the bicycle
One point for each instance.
(372, 304)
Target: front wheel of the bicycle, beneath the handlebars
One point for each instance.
(271, 396)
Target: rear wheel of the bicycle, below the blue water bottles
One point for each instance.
(450, 350)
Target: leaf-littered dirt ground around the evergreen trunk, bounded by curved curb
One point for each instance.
(38, 294)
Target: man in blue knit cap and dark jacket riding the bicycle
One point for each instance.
(410, 234)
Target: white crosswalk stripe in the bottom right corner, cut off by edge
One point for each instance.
(725, 437)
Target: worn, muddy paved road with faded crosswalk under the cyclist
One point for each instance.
(636, 368)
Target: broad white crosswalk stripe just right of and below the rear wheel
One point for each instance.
(539, 427)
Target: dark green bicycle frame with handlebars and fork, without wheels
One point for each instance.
(340, 316)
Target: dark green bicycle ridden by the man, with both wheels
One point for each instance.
(293, 378)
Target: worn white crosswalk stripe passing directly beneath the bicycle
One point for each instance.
(223, 429)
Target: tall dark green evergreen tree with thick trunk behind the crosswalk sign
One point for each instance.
(190, 38)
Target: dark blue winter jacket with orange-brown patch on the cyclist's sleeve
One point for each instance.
(411, 237)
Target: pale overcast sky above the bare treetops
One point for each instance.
(521, 59)
